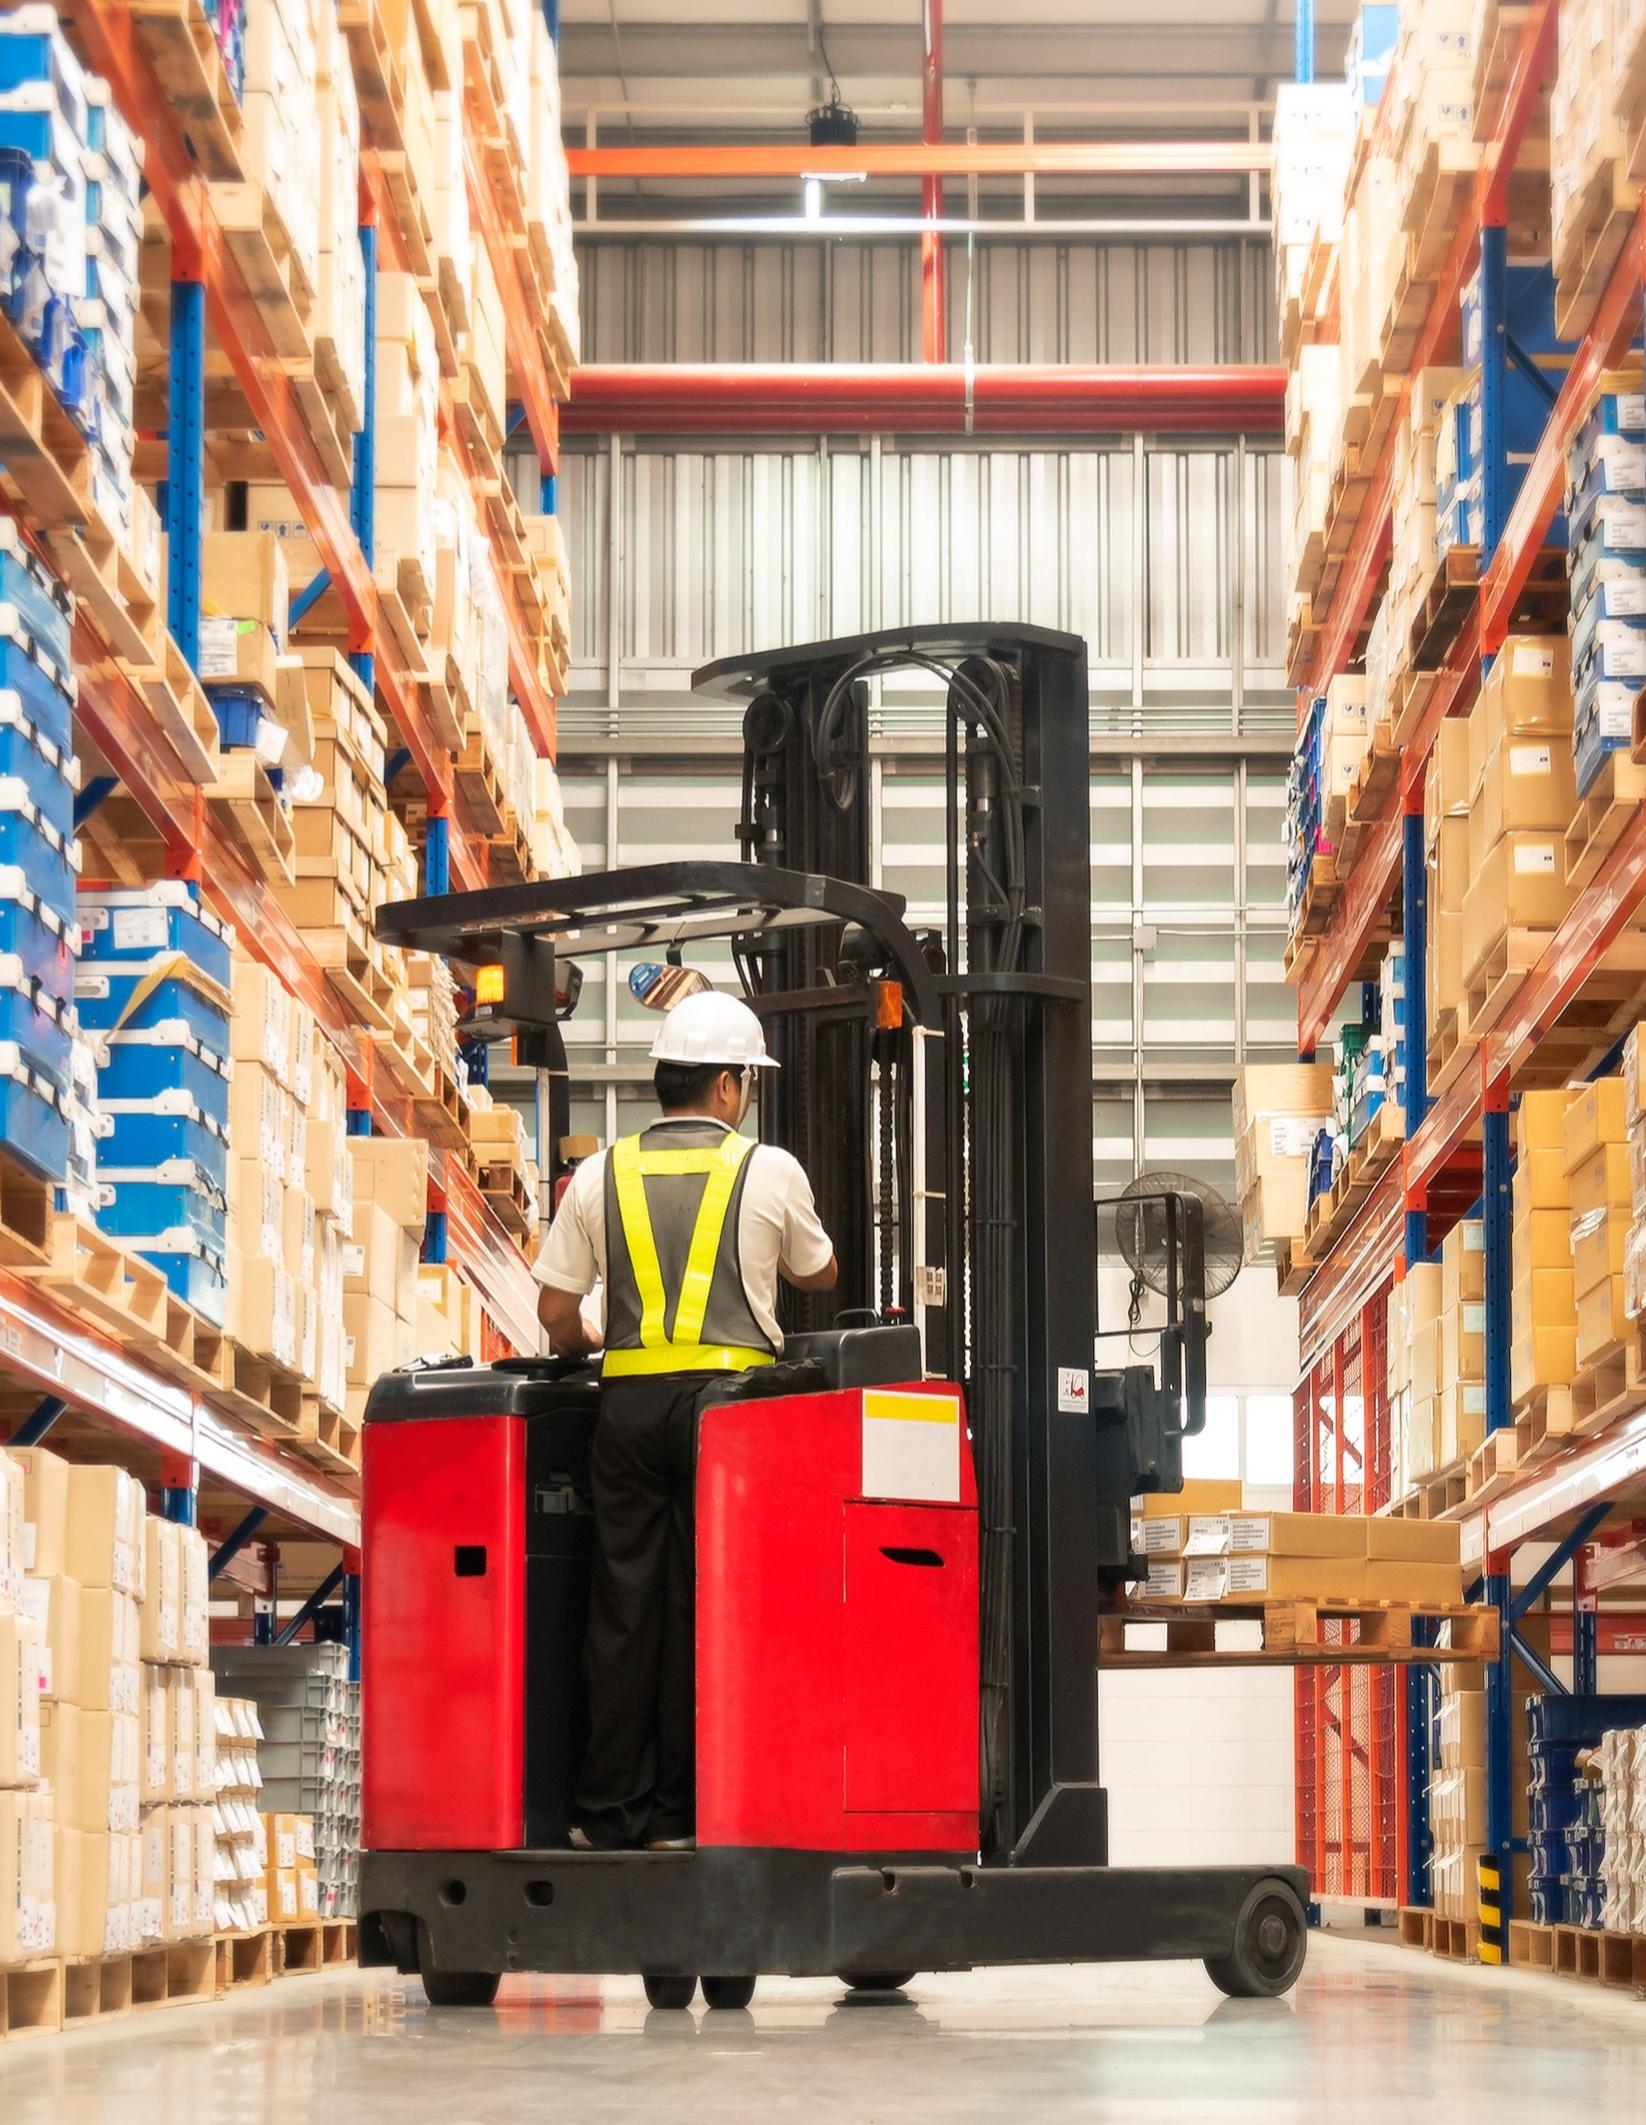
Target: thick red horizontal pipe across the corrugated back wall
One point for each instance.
(923, 401)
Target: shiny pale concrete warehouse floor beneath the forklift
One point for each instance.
(1373, 2033)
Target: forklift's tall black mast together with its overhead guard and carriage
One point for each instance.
(938, 1089)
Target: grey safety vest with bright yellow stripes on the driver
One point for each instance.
(674, 1291)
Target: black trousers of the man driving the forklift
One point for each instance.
(640, 1775)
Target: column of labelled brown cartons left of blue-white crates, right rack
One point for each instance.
(1522, 802)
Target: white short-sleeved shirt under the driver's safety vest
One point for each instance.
(776, 1223)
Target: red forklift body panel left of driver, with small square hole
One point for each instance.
(443, 1642)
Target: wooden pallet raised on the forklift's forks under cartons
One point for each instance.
(1294, 1635)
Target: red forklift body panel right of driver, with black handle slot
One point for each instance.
(836, 1642)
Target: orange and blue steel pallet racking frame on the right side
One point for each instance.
(1458, 1144)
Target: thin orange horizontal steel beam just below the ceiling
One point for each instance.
(950, 158)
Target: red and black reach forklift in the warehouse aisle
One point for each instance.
(910, 1529)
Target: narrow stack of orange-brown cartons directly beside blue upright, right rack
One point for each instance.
(1543, 1306)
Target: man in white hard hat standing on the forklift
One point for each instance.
(689, 1227)
